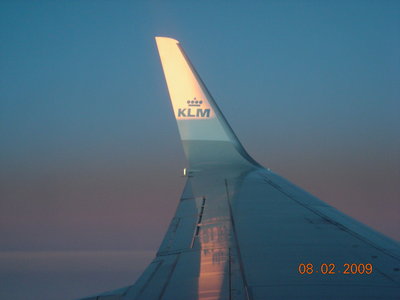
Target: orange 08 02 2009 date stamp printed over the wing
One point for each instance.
(331, 268)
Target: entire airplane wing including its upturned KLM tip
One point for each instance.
(243, 232)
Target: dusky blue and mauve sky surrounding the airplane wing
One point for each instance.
(90, 156)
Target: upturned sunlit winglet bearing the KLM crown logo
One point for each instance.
(206, 135)
